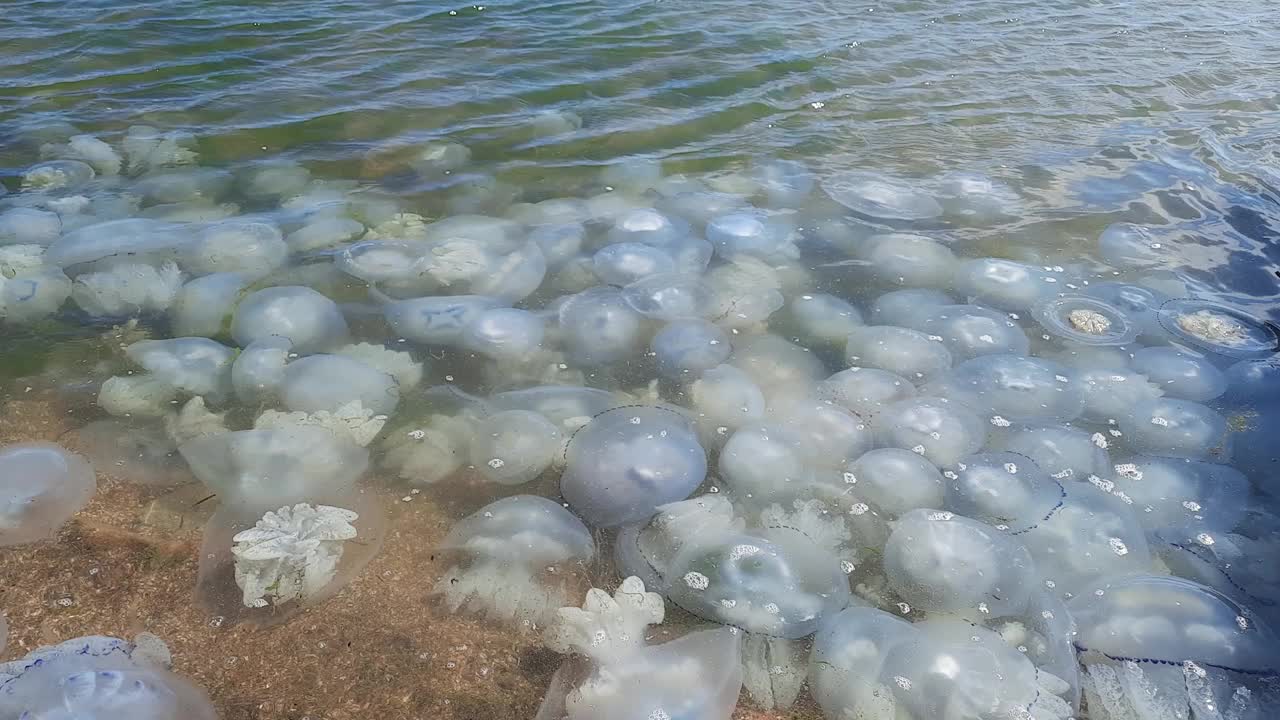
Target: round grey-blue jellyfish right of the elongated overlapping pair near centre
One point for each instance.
(600, 327)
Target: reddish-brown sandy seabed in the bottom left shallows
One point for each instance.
(382, 649)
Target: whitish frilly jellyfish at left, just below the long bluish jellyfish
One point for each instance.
(127, 289)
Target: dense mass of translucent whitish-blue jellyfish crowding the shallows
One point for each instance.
(847, 448)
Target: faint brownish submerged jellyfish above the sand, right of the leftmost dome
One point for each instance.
(131, 452)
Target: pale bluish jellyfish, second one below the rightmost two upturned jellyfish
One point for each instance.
(1178, 429)
